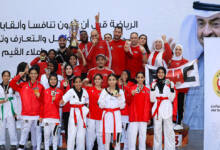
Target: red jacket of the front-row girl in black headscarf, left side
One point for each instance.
(51, 109)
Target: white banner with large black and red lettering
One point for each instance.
(184, 76)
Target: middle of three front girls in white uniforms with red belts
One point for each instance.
(111, 100)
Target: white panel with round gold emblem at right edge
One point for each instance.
(212, 94)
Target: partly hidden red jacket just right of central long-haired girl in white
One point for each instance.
(127, 94)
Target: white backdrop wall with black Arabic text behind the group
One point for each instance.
(28, 26)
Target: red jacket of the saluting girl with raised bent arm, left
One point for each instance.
(30, 103)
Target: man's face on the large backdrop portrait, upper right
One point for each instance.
(208, 27)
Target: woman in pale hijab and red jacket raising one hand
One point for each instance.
(161, 53)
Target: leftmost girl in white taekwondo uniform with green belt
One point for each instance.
(7, 117)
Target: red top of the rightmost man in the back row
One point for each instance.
(134, 61)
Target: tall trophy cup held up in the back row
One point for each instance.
(74, 27)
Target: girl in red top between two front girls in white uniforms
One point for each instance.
(95, 114)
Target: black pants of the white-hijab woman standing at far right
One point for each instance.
(181, 101)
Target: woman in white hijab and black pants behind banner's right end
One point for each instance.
(177, 61)
